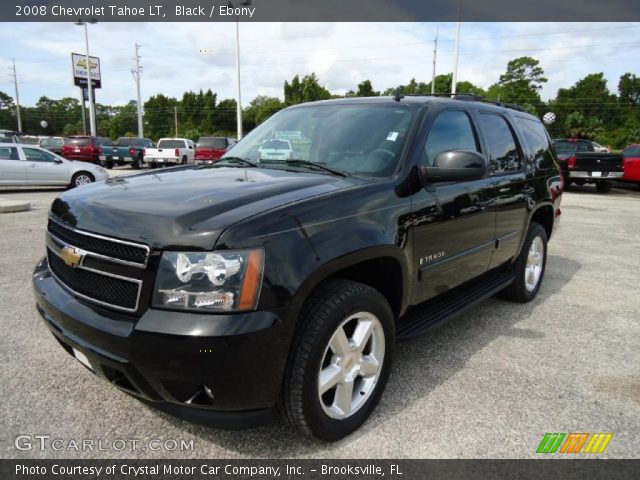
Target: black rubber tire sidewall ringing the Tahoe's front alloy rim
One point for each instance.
(319, 422)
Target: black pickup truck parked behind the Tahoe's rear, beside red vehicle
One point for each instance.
(581, 164)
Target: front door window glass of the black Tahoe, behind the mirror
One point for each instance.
(451, 130)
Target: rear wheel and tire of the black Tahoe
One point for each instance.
(529, 267)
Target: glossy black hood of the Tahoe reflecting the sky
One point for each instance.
(187, 207)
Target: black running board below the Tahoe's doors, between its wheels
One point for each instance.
(421, 318)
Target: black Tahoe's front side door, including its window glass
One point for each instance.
(454, 222)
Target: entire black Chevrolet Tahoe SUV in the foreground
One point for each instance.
(282, 283)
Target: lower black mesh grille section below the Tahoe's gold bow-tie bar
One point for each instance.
(96, 287)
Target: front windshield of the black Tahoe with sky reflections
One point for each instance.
(361, 139)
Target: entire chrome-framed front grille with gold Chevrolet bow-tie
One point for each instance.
(102, 270)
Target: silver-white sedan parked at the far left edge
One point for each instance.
(32, 165)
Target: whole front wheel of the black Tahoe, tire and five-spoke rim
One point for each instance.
(340, 361)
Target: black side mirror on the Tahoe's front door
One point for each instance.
(455, 166)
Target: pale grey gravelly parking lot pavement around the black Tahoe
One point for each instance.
(489, 384)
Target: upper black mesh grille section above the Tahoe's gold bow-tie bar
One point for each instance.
(124, 251)
